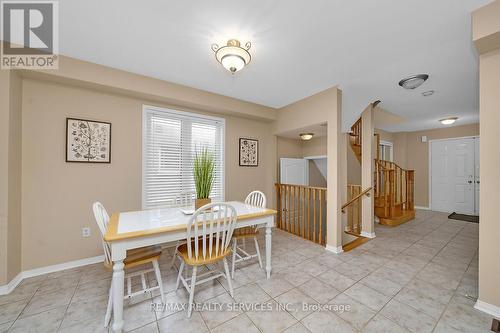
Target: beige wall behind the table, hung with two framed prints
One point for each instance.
(57, 196)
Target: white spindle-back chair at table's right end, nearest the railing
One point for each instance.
(255, 198)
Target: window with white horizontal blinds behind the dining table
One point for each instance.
(170, 142)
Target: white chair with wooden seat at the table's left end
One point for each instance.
(136, 257)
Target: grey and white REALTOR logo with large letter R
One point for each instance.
(30, 34)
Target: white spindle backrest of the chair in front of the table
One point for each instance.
(210, 229)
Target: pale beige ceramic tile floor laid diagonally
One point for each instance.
(413, 278)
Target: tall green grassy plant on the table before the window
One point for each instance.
(203, 170)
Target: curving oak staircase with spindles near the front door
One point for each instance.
(393, 185)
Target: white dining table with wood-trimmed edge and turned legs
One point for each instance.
(131, 230)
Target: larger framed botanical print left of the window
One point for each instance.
(88, 141)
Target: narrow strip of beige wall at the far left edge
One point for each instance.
(10, 175)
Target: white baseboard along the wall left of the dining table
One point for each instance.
(7, 288)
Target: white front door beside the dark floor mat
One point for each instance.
(452, 175)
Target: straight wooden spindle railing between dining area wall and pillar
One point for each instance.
(302, 211)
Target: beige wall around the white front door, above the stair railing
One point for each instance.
(417, 154)
